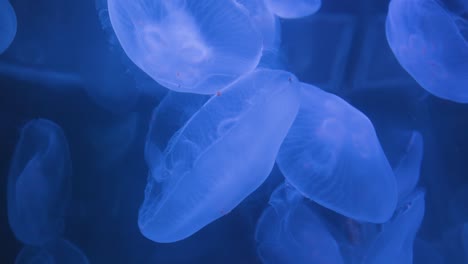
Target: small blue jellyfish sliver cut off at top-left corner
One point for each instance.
(7, 25)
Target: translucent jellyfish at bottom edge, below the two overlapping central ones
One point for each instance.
(289, 231)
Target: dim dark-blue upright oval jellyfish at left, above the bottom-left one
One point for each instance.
(39, 183)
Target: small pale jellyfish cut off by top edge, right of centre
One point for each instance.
(293, 8)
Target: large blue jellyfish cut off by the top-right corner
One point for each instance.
(431, 43)
